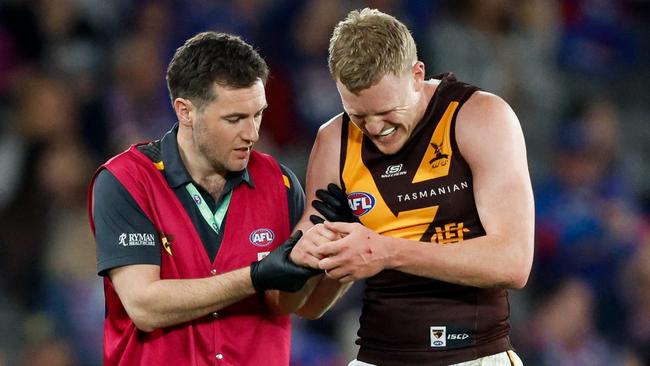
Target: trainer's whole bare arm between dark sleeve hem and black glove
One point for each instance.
(154, 303)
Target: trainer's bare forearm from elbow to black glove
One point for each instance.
(164, 303)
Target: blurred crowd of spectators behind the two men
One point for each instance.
(80, 80)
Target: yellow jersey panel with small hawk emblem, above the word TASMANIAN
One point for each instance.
(435, 163)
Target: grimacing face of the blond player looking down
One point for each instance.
(386, 112)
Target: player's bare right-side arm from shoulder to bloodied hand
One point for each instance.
(491, 141)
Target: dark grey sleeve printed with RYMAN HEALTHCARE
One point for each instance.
(123, 233)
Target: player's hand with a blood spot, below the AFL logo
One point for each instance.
(360, 253)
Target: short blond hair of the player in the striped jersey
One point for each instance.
(367, 45)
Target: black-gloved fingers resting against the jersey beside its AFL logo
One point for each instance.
(333, 205)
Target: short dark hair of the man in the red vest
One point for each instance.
(209, 58)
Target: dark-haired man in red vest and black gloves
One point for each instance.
(184, 225)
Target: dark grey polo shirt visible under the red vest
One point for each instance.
(122, 208)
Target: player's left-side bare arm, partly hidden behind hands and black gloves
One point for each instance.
(323, 168)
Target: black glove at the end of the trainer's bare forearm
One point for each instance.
(276, 271)
